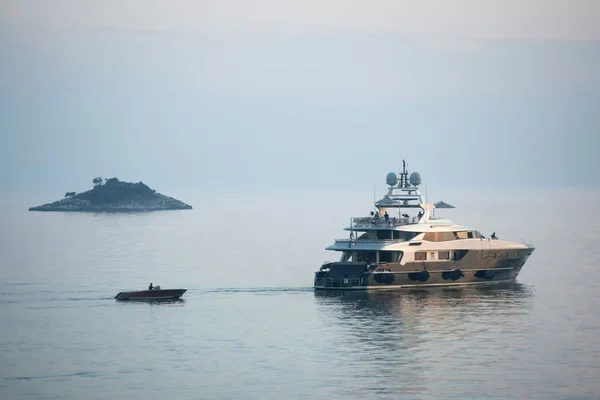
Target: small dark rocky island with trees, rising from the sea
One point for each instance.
(113, 195)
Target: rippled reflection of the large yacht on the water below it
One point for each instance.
(429, 341)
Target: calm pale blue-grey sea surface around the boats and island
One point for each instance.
(251, 327)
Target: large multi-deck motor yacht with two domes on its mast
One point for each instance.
(413, 249)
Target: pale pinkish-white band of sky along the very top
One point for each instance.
(534, 19)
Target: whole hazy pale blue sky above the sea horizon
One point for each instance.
(205, 95)
